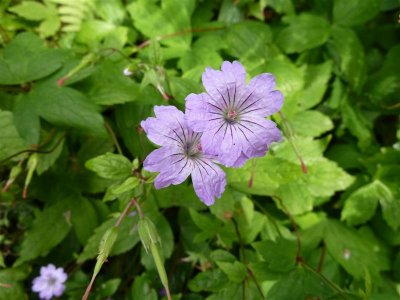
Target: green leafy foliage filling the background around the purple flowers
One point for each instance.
(317, 217)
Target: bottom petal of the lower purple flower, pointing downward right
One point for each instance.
(208, 181)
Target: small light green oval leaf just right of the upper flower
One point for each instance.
(302, 120)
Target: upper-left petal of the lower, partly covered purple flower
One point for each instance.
(164, 130)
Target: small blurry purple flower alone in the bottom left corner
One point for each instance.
(50, 282)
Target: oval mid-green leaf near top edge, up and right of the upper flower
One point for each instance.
(304, 32)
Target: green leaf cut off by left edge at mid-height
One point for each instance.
(10, 140)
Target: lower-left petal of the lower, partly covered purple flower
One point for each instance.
(174, 174)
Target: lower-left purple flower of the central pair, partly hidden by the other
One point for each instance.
(181, 155)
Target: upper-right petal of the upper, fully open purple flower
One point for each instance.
(260, 97)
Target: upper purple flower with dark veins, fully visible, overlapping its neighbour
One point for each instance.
(231, 114)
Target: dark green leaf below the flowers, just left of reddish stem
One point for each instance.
(279, 255)
